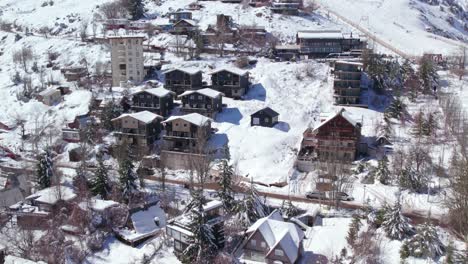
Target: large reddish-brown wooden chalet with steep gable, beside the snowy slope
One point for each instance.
(335, 139)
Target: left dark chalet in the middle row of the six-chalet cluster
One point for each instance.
(156, 100)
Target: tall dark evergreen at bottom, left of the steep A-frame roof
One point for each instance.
(202, 243)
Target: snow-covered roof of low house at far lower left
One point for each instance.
(53, 194)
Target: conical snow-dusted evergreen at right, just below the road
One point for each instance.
(396, 225)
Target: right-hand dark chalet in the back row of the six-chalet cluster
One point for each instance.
(232, 82)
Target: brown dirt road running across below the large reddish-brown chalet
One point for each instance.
(415, 217)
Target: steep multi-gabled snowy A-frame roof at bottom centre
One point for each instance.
(277, 232)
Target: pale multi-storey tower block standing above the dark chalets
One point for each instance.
(127, 59)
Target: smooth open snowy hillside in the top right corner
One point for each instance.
(412, 26)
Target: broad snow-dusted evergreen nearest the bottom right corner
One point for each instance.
(425, 243)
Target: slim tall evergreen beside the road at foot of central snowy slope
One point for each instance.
(226, 193)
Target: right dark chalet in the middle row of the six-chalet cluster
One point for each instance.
(207, 102)
